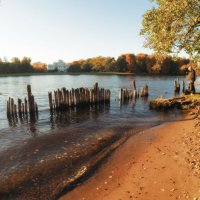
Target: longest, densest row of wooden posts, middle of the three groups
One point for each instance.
(62, 99)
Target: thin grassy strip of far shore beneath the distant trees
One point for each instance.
(82, 73)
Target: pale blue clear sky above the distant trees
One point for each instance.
(48, 30)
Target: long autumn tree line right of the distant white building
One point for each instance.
(155, 64)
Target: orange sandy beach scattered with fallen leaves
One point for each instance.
(160, 163)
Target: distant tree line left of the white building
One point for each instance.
(21, 66)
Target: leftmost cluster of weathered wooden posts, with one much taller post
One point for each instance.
(22, 108)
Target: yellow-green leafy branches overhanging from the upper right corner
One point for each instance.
(173, 26)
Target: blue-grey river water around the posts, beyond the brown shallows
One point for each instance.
(135, 112)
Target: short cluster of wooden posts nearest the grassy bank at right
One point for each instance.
(127, 94)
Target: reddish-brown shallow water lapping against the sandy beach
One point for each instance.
(41, 168)
